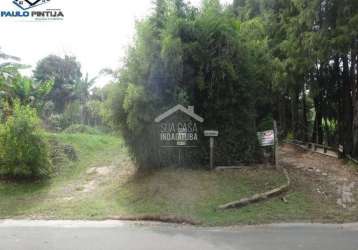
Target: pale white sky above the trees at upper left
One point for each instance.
(96, 32)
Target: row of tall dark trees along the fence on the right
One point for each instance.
(314, 46)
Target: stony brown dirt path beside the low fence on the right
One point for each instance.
(331, 175)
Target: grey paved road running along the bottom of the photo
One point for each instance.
(125, 235)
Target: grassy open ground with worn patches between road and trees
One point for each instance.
(104, 183)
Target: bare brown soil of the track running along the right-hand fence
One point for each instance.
(329, 180)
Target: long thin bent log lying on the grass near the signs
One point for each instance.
(260, 196)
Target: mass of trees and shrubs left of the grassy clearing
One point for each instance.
(61, 98)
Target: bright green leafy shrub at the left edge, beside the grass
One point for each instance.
(23, 150)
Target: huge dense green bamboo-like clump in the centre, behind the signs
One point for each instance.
(192, 57)
